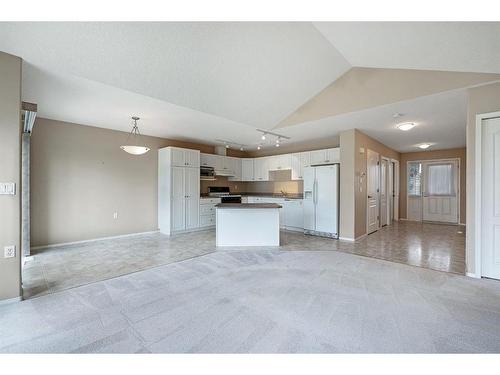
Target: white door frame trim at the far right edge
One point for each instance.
(478, 194)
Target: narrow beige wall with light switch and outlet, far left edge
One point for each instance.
(10, 171)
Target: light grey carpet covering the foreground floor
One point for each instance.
(263, 301)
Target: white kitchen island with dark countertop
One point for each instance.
(247, 224)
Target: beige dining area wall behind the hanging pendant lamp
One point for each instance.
(80, 177)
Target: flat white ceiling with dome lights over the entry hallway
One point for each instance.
(440, 119)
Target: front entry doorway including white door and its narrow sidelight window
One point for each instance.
(433, 192)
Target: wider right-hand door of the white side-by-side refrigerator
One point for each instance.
(326, 200)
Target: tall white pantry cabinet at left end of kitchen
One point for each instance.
(178, 189)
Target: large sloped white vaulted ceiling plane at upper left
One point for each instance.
(254, 73)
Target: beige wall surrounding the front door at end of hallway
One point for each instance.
(429, 155)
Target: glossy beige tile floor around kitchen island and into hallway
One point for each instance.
(438, 247)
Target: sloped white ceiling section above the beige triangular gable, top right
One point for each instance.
(452, 46)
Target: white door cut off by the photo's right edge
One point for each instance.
(490, 197)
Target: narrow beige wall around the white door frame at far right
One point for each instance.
(482, 99)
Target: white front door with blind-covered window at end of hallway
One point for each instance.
(440, 191)
